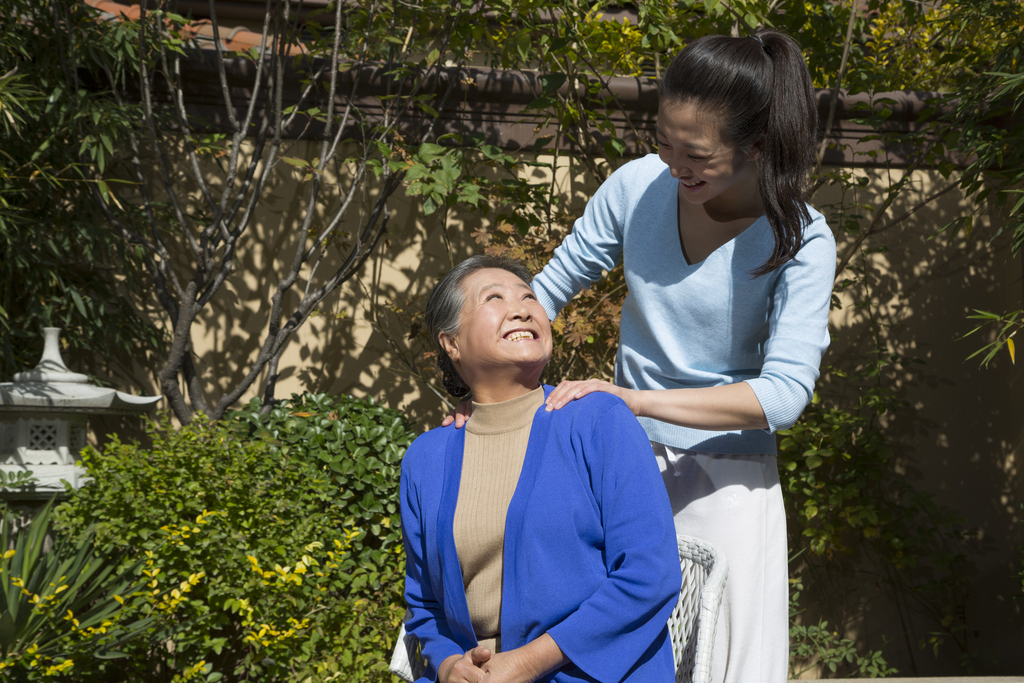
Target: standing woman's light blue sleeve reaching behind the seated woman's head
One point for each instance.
(593, 248)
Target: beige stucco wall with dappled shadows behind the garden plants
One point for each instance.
(962, 439)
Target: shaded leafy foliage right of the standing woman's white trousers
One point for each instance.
(848, 503)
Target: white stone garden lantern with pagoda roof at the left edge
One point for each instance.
(45, 420)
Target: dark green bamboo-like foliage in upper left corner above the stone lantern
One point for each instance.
(57, 269)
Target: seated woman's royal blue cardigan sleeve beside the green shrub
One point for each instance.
(426, 620)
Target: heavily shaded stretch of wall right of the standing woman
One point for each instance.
(960, 438)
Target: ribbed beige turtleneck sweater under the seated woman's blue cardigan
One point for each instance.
(496, 446)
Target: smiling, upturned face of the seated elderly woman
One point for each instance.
(502, 325)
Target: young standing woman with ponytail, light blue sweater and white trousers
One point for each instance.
(730, 275)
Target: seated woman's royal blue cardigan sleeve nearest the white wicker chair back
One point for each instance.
(615, 628)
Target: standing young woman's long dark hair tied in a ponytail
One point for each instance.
(761, 88)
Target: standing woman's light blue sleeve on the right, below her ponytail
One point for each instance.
(798, 329)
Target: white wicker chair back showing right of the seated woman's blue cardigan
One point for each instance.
(693, 623)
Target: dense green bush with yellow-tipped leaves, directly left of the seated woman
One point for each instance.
(294, 546)
